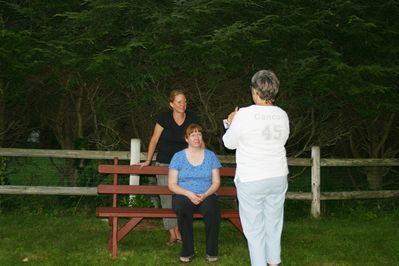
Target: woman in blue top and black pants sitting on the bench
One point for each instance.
(194, 178)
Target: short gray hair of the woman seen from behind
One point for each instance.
(266, 84)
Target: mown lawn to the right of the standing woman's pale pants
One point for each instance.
(341, 242)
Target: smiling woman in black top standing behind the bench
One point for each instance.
(168, 135)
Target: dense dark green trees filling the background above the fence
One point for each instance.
(93, 74)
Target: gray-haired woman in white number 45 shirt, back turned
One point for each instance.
(258, 133)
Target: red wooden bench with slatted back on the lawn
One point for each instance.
(118, 232)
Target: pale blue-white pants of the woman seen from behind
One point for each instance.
(261, 207)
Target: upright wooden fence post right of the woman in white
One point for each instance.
(315, 208)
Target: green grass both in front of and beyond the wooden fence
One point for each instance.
(54, 230)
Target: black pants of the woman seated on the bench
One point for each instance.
(210, 209)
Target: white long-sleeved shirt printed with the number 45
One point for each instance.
(259, 134)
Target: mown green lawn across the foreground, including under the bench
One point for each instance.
(28, 239)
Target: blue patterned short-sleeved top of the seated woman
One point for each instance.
(197, 178)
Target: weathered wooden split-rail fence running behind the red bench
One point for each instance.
(315, 162)
